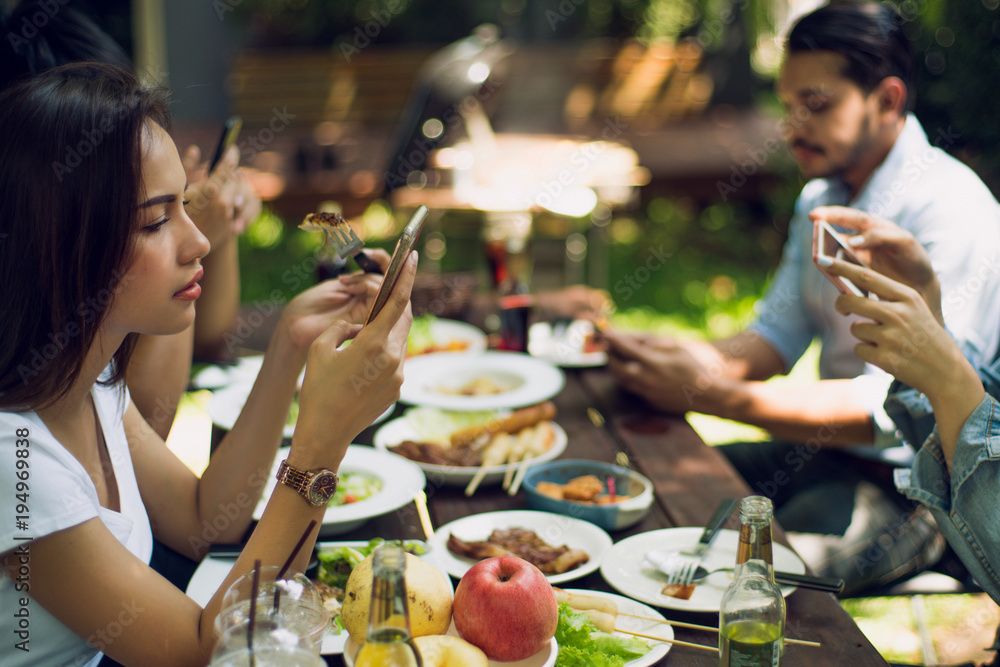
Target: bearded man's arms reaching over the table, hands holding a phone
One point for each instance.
(726, 377)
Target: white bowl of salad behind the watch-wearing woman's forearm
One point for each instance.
(372, 483)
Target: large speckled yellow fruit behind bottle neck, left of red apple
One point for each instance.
(428, 596)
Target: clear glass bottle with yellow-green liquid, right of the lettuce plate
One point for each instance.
(752, 611)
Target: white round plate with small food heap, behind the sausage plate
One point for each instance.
(529, 380)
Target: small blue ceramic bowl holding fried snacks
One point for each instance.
(613, 516)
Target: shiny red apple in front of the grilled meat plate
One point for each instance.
(506, 607)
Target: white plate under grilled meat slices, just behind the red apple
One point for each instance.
(555, 529)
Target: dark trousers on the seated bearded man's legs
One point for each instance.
(841, 513)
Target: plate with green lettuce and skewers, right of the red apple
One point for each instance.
(608, 612)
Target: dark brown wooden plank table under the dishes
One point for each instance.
(689, 477)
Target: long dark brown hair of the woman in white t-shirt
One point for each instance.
(71, 148)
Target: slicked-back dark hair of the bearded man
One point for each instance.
(869, 34)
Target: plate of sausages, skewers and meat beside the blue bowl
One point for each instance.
(425, 436)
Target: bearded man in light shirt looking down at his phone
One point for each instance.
(846, 85)
